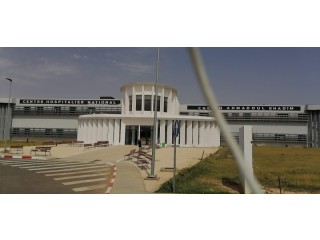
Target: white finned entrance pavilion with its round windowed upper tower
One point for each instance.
(137, 116)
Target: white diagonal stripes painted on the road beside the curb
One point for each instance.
(82, 177)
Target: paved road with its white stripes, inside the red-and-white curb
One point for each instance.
(54, 176)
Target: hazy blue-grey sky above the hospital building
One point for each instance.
(238, 75)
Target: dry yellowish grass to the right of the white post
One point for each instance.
(299, 167)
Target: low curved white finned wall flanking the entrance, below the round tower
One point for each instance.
(198, 133)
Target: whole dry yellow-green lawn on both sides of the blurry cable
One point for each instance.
(298, 170)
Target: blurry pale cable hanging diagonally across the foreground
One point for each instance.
(223, 125)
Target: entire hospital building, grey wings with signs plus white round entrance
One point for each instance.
(129, 119)
